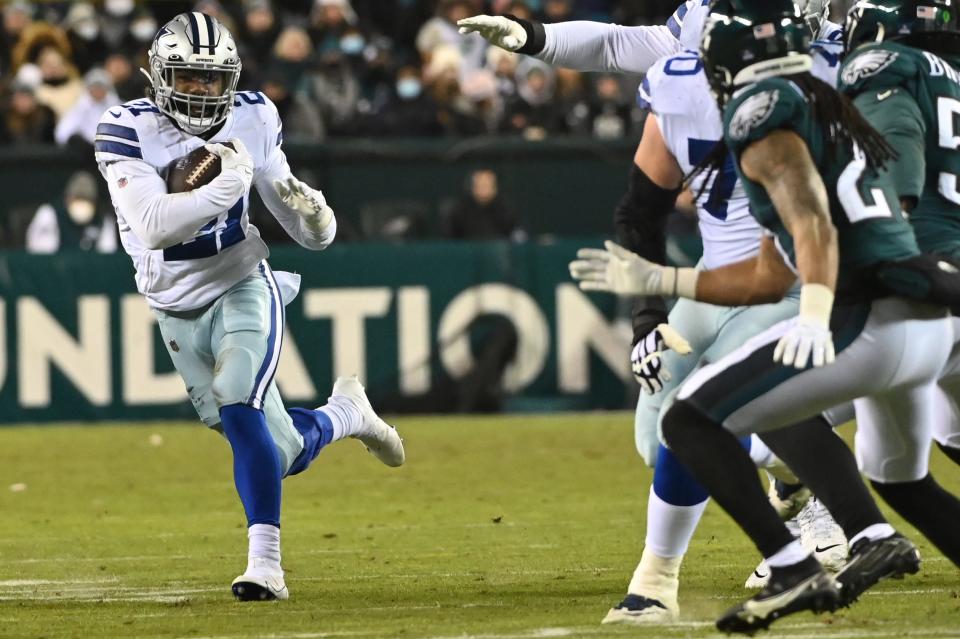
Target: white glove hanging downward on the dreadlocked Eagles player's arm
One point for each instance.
(810, 334)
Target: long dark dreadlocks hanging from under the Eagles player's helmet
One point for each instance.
(839, 119)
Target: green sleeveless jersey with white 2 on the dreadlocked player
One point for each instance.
(863, 204)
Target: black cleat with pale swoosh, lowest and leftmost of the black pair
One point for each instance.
(804, 586)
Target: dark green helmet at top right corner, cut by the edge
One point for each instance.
(877, 20)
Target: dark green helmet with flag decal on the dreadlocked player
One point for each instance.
(745, 41)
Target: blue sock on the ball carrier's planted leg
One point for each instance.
(256, 463)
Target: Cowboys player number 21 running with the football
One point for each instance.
(202, 267)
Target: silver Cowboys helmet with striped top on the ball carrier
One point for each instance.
(197, 55)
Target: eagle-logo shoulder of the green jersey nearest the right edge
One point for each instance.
(877, 66)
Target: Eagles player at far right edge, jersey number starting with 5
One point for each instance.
(900, 73)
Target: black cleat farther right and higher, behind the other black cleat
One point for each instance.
(873, 561)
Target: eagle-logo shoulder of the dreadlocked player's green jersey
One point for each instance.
(758, 110)
